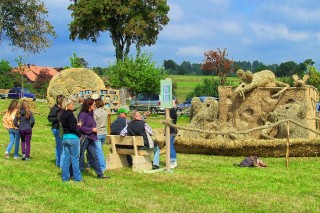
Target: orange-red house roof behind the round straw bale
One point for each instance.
(32, 71)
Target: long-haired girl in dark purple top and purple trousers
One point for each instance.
(24, 120)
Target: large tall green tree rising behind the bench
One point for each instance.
(128, 22)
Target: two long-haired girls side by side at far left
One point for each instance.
(19, 121)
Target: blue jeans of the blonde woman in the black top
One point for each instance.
(71, 149)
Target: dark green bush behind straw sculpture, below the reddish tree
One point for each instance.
(209, 87)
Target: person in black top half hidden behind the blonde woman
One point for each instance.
(53, 118)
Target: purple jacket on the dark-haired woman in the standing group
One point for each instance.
(87, 124)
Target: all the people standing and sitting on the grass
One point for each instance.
(79, 128)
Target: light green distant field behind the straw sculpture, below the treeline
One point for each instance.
(186, 84)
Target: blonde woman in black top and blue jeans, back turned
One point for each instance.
(70, 142)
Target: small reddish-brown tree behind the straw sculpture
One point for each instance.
(216, 62)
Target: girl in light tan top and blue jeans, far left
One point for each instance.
(13, 131)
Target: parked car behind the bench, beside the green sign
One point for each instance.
(145, 102)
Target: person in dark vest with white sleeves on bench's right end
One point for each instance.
(138, 127)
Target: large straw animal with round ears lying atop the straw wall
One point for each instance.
(264, 78)
